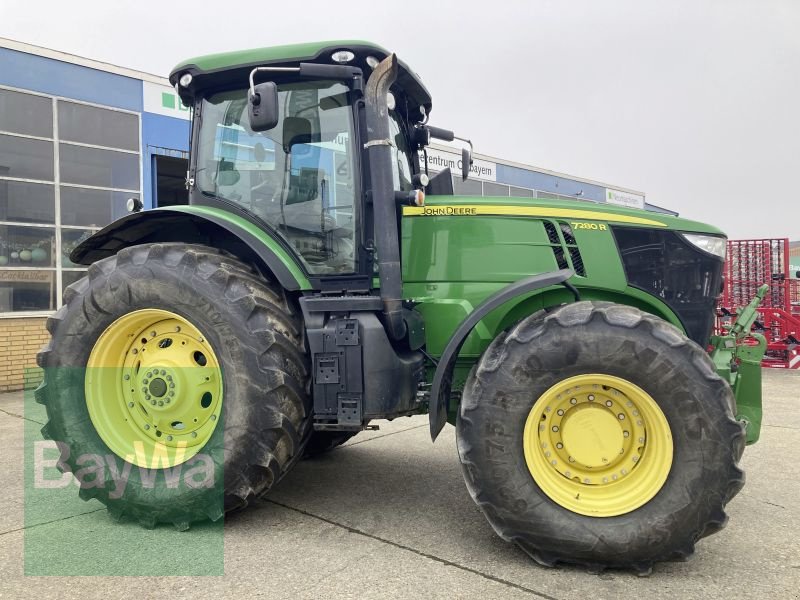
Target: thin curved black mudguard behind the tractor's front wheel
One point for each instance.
(443, 377)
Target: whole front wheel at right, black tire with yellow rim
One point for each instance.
(599, 435)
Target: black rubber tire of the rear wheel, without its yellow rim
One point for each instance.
(256, 333)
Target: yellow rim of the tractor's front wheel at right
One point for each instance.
(598, 445)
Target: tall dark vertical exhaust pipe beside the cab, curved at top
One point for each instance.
(378, 149)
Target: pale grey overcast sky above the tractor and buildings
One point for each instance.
(695, 103)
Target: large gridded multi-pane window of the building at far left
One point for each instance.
(66, 170)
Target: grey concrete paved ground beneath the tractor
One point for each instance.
(385, 516)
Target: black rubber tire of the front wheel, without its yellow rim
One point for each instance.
(621, 341)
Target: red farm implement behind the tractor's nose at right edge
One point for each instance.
(750, 264)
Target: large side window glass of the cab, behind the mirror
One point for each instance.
(297, 177)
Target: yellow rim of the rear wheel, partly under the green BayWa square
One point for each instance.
(153, 388)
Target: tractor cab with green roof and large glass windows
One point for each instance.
(282, 137)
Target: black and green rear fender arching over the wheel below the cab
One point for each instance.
(195, 224)
